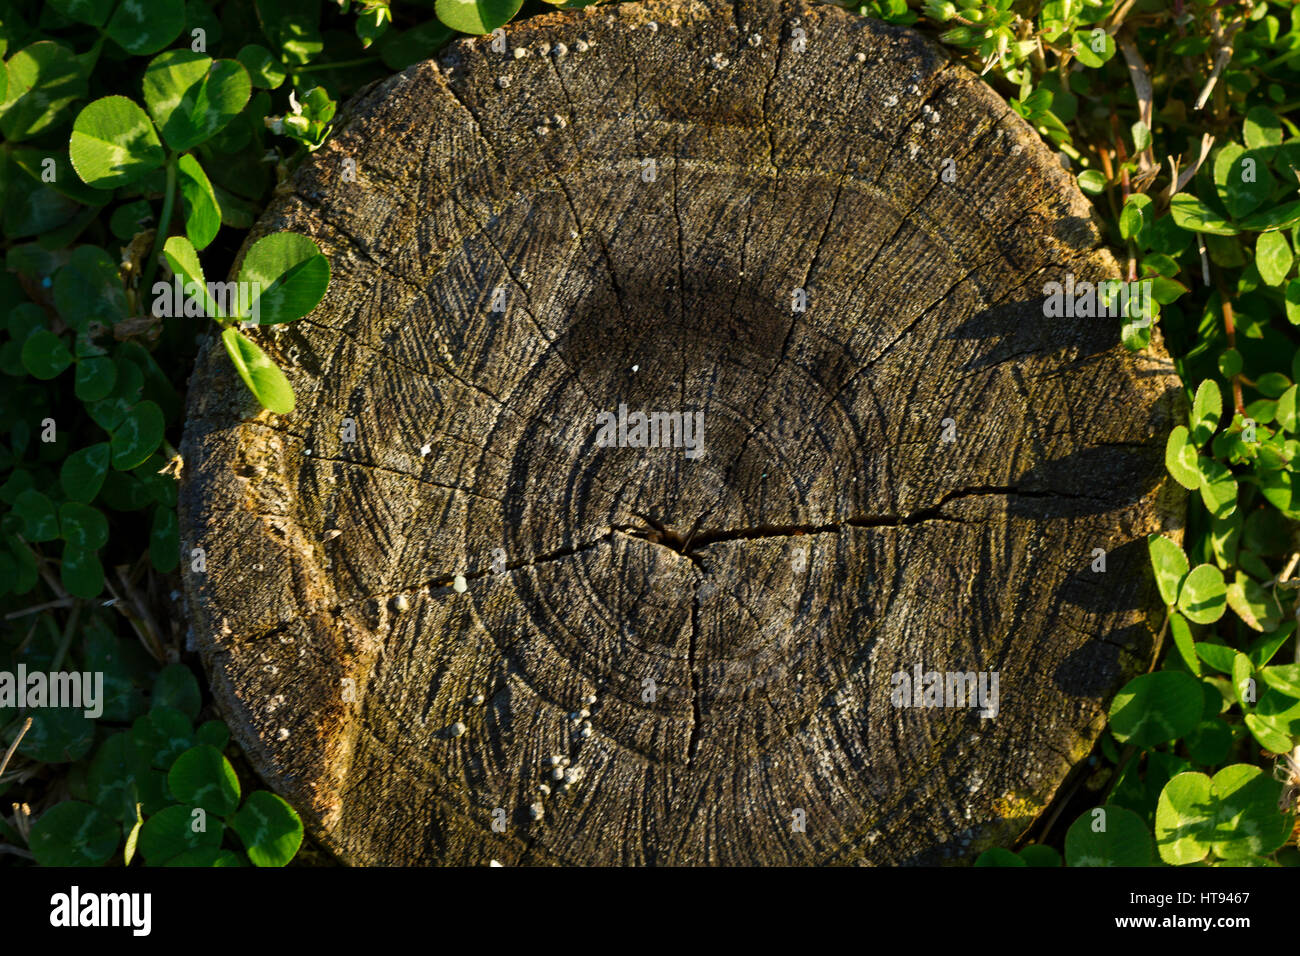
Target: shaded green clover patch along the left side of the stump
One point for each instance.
(138, 137)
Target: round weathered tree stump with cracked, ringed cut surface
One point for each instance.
(456, 616)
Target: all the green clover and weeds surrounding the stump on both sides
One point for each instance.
(141, 136)
